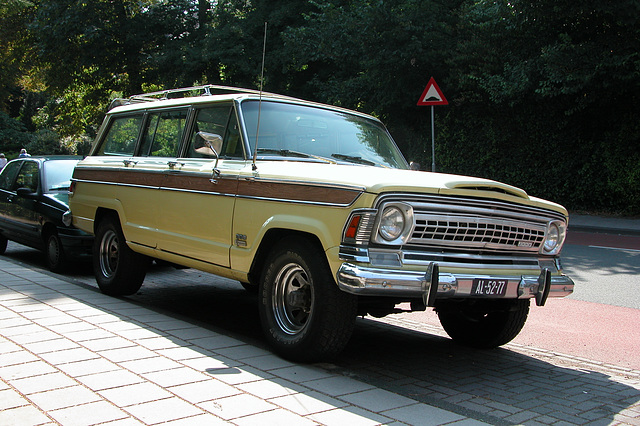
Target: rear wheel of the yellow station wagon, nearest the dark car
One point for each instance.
(119, 270)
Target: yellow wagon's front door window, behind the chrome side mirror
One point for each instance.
(217, 127)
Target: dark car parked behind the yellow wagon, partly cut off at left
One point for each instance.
(33, 197)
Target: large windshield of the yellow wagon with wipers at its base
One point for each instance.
(310, 133)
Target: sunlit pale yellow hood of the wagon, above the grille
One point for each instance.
(379, 180)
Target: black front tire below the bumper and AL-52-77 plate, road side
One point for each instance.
(484, 324)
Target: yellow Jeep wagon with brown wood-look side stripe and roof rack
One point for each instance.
(314, 207)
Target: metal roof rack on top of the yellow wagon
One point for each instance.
(206, 90)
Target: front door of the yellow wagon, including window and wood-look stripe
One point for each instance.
(199, 188)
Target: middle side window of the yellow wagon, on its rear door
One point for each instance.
(163, 133)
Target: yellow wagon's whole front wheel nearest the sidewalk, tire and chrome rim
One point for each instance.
(305, 316)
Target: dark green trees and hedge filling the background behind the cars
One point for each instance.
(543, 95)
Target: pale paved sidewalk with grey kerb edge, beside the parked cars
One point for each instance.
(72, 356)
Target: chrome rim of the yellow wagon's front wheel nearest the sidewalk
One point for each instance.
(292, 299)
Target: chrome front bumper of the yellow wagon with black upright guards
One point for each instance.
(367, 281)
